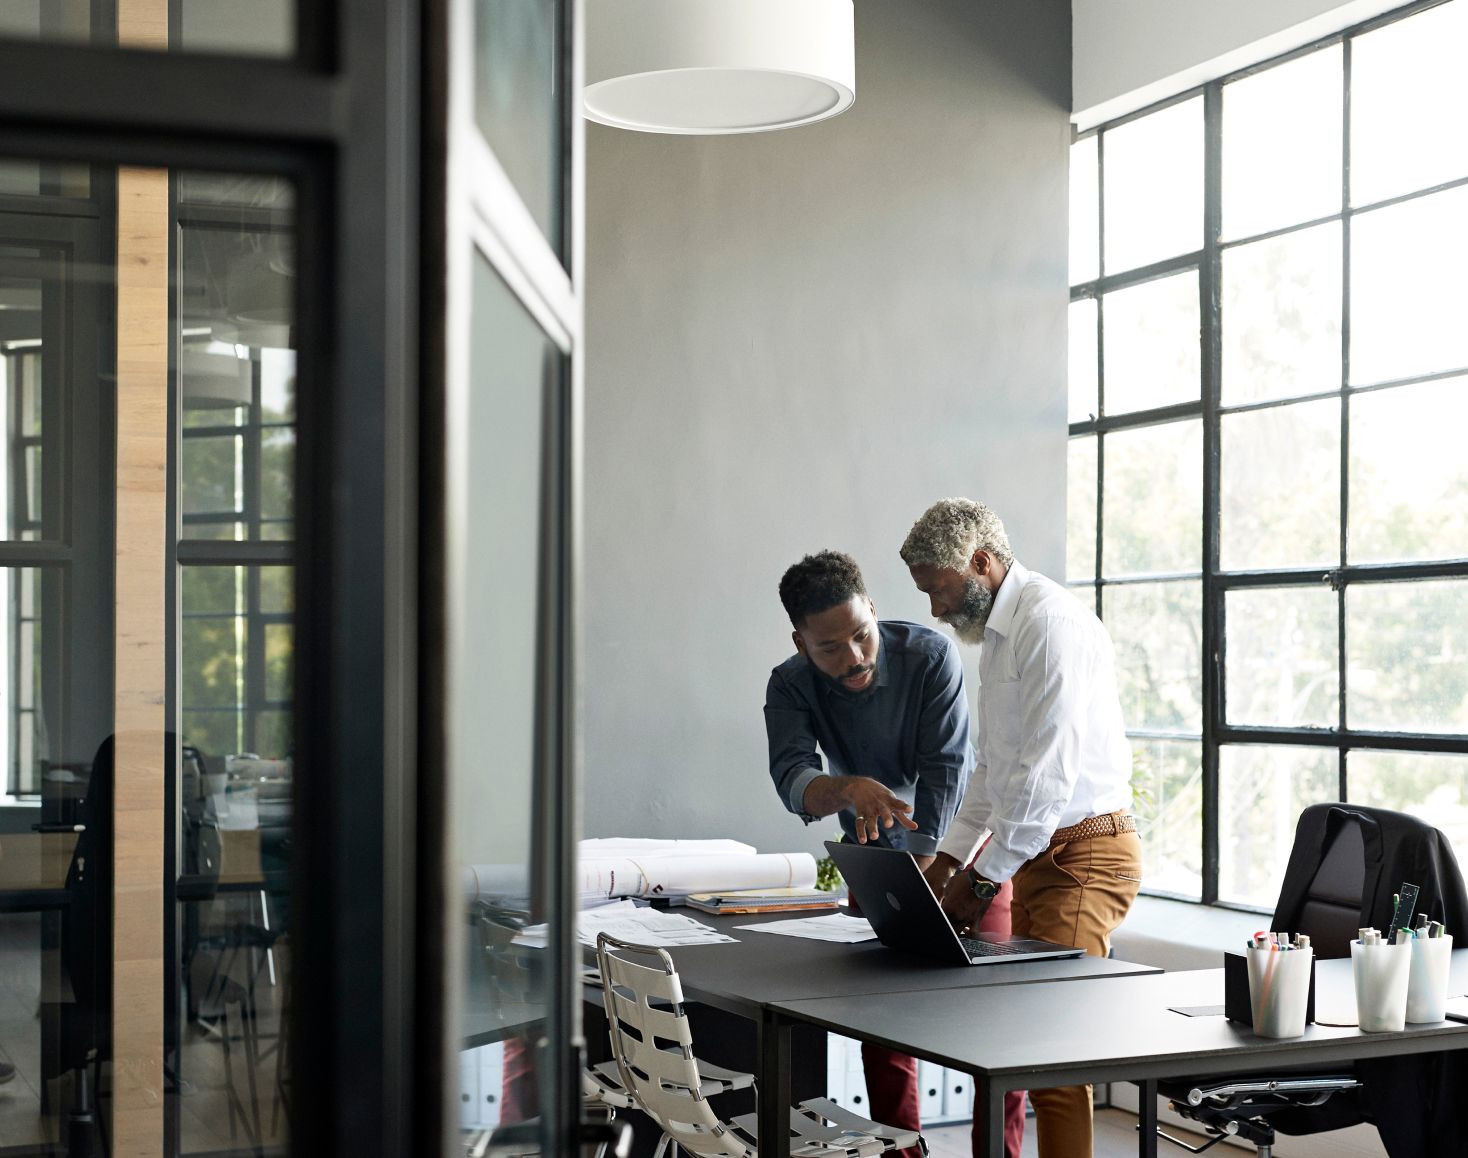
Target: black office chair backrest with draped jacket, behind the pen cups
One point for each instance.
(1345, 864)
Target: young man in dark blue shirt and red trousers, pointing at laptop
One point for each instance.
(886, 704)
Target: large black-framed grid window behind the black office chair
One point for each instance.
(1269, 494)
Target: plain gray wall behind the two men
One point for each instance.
(798, 341)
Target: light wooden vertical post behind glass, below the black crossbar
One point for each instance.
(142, 661)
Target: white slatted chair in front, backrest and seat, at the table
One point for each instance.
(654, 1052)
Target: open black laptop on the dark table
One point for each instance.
(906, 917)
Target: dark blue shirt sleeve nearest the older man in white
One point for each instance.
(945, 754)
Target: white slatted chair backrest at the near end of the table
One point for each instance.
(654, 1047)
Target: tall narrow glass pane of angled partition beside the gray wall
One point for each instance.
(497, 752)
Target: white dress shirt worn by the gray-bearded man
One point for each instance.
(1052, 749)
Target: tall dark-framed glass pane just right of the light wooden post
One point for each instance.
(236, 387)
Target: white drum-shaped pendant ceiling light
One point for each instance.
(719, 67)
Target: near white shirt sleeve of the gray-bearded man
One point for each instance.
(1055, 658)
